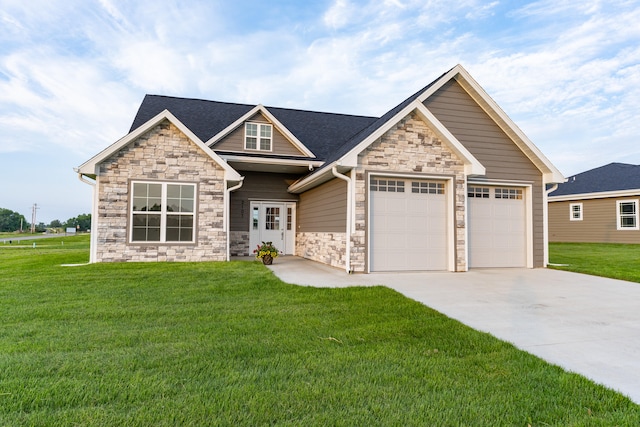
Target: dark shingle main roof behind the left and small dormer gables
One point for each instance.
(322, 133)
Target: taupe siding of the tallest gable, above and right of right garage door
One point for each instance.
(488, 143)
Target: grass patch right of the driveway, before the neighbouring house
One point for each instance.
(618, 261)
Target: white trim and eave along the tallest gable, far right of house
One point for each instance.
(550, 173)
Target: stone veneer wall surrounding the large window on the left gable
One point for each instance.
(163, 153)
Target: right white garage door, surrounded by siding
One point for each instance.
(497, 227)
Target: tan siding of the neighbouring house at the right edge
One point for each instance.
(599, 222)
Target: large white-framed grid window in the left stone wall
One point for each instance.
(162, 212)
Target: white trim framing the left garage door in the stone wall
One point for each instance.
(450, 202)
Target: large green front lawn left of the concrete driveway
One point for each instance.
(229, 344)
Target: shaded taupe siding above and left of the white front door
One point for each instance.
(258, 186)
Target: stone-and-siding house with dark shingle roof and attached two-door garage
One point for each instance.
(443, 181)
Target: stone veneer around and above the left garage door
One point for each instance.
(408, 147)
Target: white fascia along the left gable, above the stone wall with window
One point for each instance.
(90, 167)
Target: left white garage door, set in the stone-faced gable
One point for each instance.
(408, 225)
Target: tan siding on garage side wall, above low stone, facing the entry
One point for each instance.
(324, 208)
